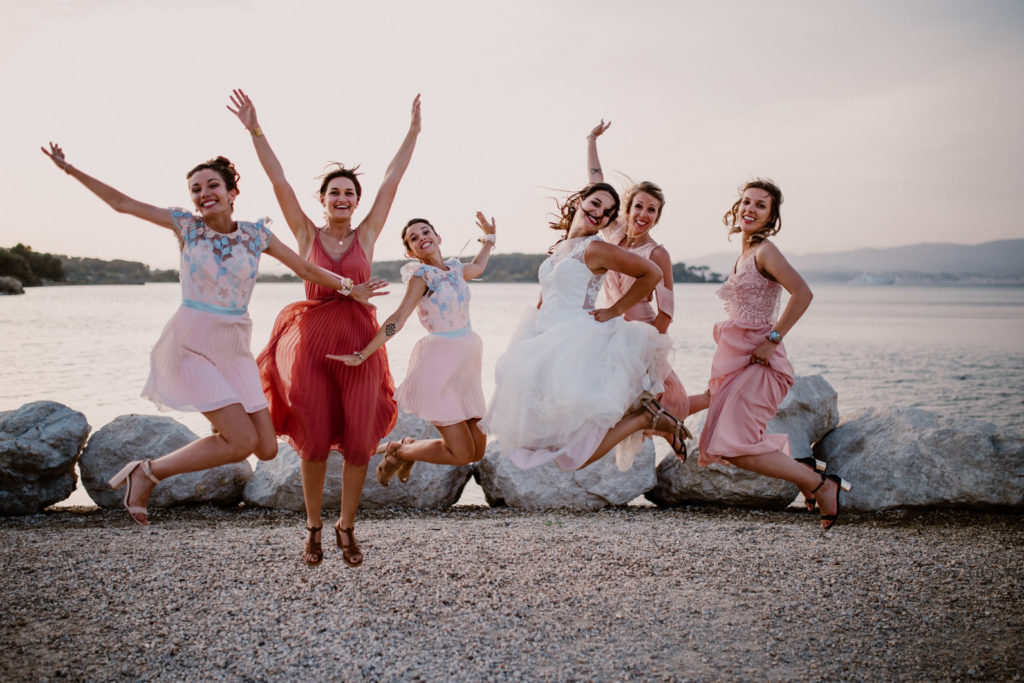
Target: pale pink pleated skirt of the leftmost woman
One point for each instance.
(203, 362)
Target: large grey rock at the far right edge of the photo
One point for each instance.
(906, 457)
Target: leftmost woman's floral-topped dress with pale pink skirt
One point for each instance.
(203, 360)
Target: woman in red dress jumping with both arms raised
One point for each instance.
(320, 405)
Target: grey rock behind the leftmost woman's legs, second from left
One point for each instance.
(148, 438)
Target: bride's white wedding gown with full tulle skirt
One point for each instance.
(566, 379)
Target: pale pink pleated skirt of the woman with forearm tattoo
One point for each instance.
(443, 386)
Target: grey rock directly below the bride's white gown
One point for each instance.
(546, 487)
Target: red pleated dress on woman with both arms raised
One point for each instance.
(320, 405)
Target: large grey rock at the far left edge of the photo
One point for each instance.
(39, 446)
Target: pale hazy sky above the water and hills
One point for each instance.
(886, 123)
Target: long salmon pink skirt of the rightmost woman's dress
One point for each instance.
(745, 397)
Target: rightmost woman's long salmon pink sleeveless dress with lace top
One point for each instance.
(744, 396)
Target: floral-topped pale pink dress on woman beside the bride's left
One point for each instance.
(443, 385)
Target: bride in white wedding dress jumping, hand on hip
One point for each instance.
(569, 387)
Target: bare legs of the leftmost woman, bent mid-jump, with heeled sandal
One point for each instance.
(237, 436)
